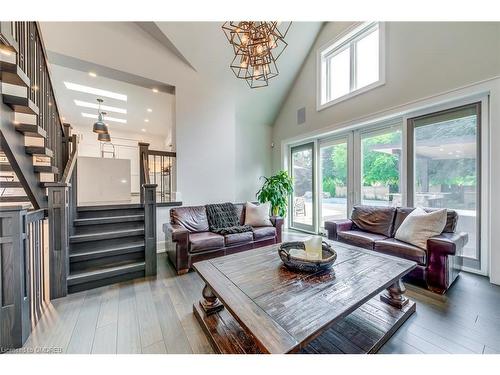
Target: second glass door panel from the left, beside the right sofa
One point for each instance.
(333, 187)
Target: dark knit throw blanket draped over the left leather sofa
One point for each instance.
(223, 219)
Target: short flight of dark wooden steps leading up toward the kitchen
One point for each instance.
(107, 246)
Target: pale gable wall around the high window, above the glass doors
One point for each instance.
(422, 59)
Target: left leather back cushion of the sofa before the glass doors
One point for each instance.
(374, 219)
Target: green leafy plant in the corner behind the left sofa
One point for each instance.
(276, 190)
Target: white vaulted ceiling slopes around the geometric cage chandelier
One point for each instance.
(205, 48)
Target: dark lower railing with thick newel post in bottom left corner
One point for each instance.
(23, 293)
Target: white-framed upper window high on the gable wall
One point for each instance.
(351, 65)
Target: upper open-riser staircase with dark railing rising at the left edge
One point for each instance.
(31, 128)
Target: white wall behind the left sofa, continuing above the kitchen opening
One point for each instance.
(205, 133)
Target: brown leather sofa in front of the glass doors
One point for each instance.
(373, 228)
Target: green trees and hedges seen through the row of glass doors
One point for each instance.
(381, 160)
